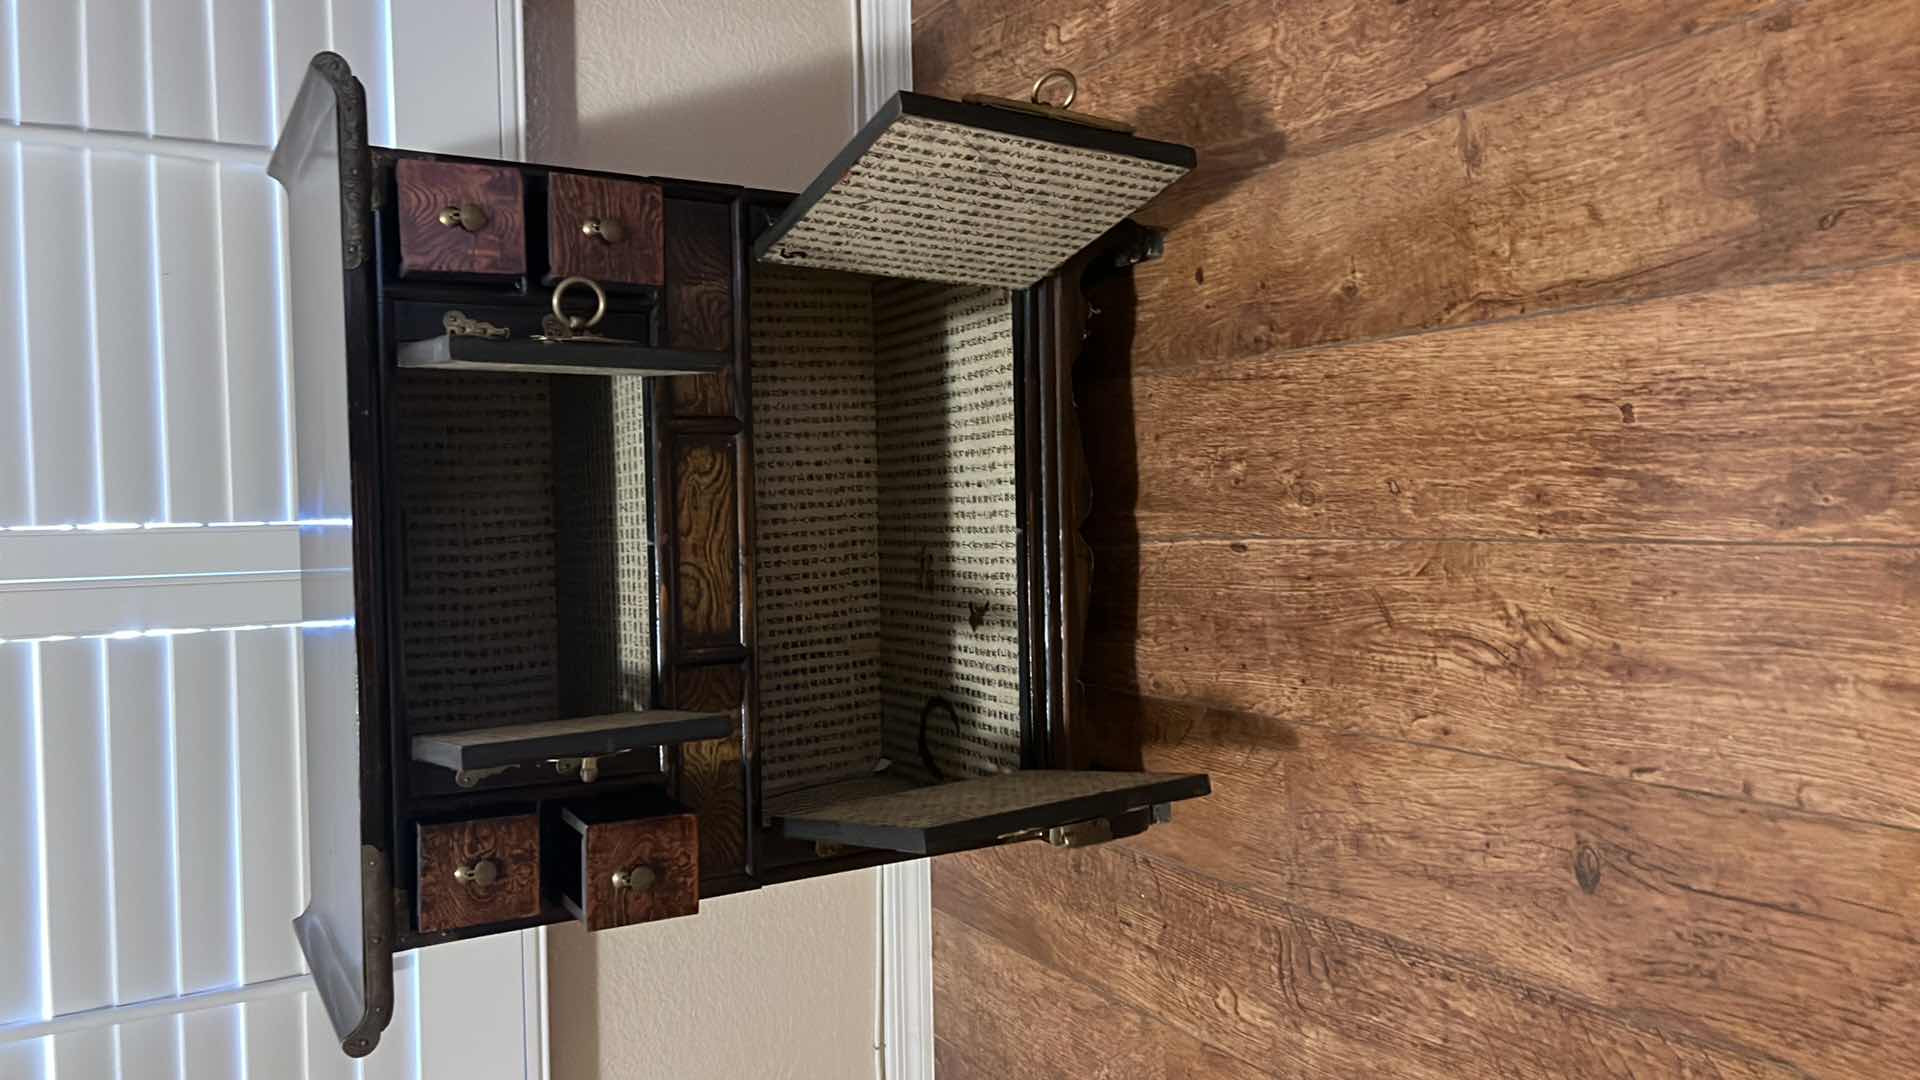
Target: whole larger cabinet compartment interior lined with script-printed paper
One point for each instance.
(888, 543)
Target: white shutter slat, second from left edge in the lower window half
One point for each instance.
(74, 827)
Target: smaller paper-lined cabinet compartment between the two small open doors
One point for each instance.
(525, 549)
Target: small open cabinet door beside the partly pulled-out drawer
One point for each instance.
(577, 737)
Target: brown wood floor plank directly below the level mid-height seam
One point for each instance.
(1785, 675)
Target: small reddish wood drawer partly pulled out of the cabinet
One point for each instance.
(629, 870)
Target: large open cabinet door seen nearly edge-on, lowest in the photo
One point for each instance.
(1044, 804)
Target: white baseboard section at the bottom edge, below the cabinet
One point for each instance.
(907, 970)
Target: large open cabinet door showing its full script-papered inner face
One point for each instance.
(971, 193)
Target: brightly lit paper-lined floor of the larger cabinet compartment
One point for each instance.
(949, 529)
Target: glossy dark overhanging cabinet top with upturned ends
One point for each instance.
(348, 925)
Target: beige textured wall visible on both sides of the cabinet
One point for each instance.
(779, 983)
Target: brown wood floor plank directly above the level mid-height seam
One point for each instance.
(1781, 412)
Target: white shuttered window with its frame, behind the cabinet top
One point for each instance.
(151, 783)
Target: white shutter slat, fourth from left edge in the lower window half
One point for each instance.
(204, 825)
